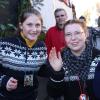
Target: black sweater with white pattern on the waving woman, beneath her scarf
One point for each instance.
(61, 83)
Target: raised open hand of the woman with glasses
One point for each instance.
(55, 59)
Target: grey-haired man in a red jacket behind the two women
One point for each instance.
(55, 35)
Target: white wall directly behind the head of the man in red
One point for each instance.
(47, 11)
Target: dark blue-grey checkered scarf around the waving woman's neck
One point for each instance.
(78, 65)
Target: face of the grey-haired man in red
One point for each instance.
(60, 17)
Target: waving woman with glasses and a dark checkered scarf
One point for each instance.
(72, 70)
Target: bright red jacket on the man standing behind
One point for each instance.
(54, 38)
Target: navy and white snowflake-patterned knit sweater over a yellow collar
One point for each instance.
(17, 60)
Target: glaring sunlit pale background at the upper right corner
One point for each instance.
(88, 9)
